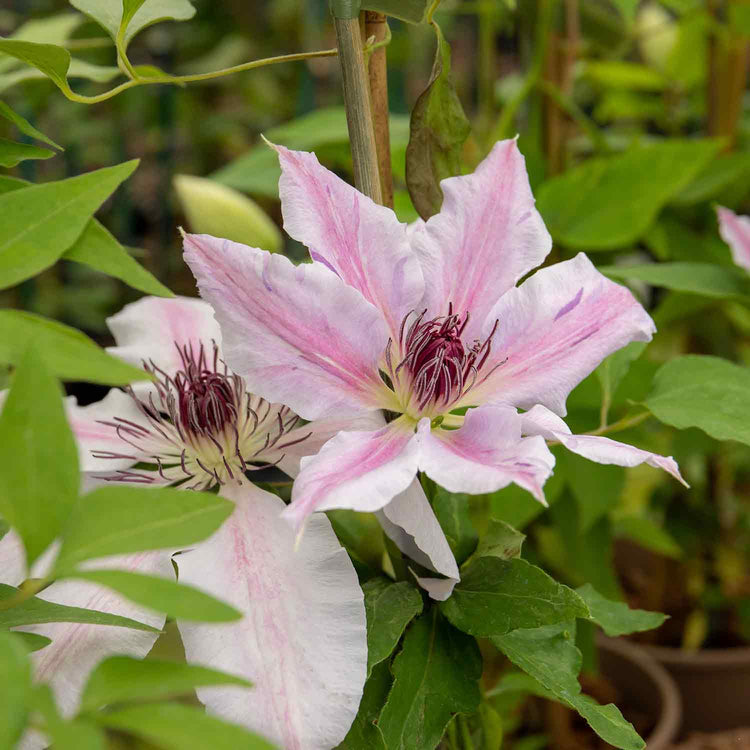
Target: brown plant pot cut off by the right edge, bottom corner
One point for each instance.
(714, 684)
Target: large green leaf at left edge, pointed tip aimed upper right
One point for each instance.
(42, 221)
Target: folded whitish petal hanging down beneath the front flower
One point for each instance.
(412, 525)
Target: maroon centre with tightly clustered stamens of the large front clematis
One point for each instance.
(436, 365)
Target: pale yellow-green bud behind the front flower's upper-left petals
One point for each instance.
(212, 208)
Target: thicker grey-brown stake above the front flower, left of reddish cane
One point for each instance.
(358, 107)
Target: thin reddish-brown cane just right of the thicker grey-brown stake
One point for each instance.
(376, 25)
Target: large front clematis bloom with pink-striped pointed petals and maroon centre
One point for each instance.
(424, 328)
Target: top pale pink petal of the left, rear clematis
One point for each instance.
(150, 330)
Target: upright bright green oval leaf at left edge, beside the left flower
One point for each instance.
(39, 461)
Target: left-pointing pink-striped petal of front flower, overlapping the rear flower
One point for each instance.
(298, 335)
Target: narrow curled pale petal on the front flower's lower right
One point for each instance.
(541, 421)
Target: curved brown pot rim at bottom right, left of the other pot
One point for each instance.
(644, 685)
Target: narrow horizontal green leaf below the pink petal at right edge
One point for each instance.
(706, 279)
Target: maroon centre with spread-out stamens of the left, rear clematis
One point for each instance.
(201, 426)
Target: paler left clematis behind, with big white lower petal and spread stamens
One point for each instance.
(302, 638)
